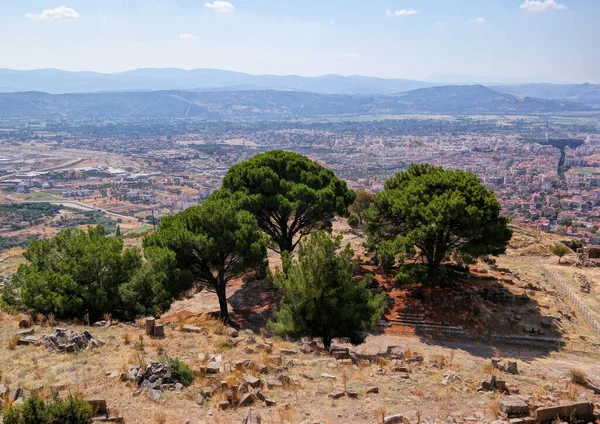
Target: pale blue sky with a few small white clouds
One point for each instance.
(558, 40)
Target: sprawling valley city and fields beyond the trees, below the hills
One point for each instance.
(133, 174)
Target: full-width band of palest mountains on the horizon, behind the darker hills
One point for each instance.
(56, 81)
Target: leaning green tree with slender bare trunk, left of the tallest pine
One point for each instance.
(214, 242)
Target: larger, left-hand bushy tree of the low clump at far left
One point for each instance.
(75, 273)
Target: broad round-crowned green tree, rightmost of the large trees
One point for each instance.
(429, 212)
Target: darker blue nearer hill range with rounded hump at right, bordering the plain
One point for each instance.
(272, 104)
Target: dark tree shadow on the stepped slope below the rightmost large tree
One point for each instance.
(494, 314)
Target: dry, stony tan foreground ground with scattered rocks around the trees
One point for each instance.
(406, 370)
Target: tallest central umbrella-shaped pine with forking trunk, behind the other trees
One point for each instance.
(289, 194)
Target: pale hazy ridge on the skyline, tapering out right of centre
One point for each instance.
(56, 81)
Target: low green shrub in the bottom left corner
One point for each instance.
(72, 410)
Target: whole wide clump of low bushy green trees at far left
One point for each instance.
(77, 273)
